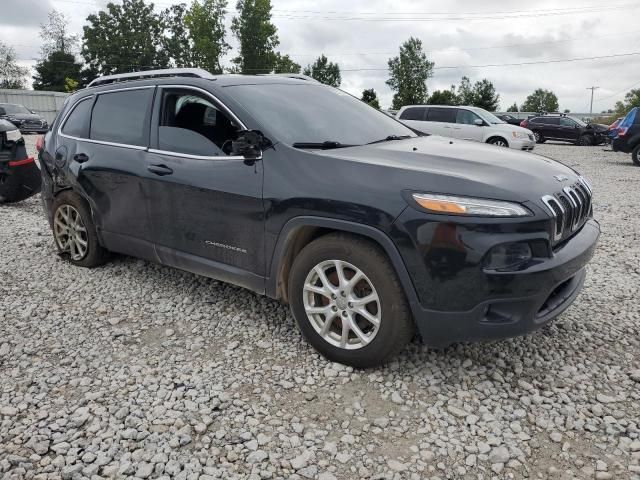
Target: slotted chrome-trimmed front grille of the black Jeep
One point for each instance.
(570, 209)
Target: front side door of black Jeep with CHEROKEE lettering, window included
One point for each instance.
(205, 205)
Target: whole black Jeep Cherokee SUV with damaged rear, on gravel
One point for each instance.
(302, 192)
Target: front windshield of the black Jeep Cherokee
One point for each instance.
(313, 113)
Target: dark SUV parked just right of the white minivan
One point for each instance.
(565, 128)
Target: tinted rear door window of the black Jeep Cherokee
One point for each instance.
(122, 117)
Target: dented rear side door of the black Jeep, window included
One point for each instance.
(107, 156)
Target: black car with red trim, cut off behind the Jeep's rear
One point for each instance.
(19, 175)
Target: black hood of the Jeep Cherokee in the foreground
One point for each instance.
(442, 165)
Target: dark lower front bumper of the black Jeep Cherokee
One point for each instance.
(514, 303)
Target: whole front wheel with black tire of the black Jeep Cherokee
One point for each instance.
(395, 327)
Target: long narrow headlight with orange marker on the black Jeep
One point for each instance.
(469, 206)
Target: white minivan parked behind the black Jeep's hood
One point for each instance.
(466, 123)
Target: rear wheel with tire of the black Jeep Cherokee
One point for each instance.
(70, 209)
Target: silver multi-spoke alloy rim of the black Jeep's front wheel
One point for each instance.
(342, 304)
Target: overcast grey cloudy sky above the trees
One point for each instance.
(360, 35)
